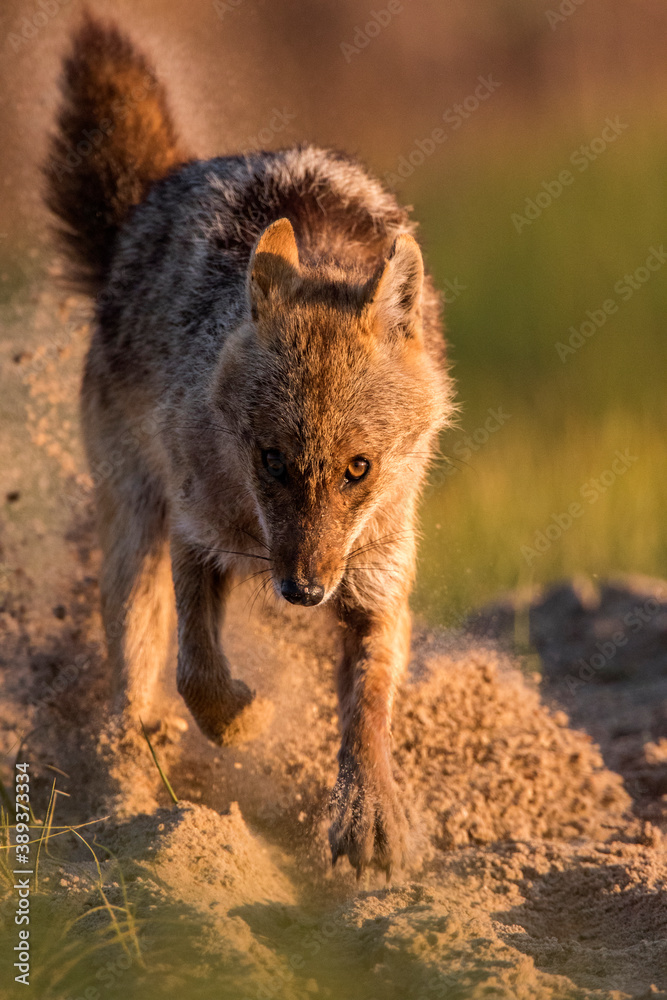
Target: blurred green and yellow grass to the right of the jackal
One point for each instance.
(522, 292)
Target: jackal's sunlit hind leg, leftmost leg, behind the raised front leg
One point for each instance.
(138, 616)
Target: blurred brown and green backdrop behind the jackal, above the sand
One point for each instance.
(529, 136)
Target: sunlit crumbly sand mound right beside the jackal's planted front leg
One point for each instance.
(493, 763)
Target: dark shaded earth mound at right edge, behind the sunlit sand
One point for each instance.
(603, 655)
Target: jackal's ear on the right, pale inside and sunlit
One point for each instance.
(394, 292)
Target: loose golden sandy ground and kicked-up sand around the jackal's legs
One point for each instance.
(531, 748)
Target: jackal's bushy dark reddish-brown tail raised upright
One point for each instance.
(115, 138)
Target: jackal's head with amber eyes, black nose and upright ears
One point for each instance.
(334, 403)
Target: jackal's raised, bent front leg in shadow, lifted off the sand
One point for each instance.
(225, 709)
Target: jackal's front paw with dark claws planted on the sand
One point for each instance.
(368, 821)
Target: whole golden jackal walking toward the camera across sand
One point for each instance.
(267, 316)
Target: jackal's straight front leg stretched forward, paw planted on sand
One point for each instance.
(368, 820)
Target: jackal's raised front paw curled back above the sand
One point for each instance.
(233, 718)
